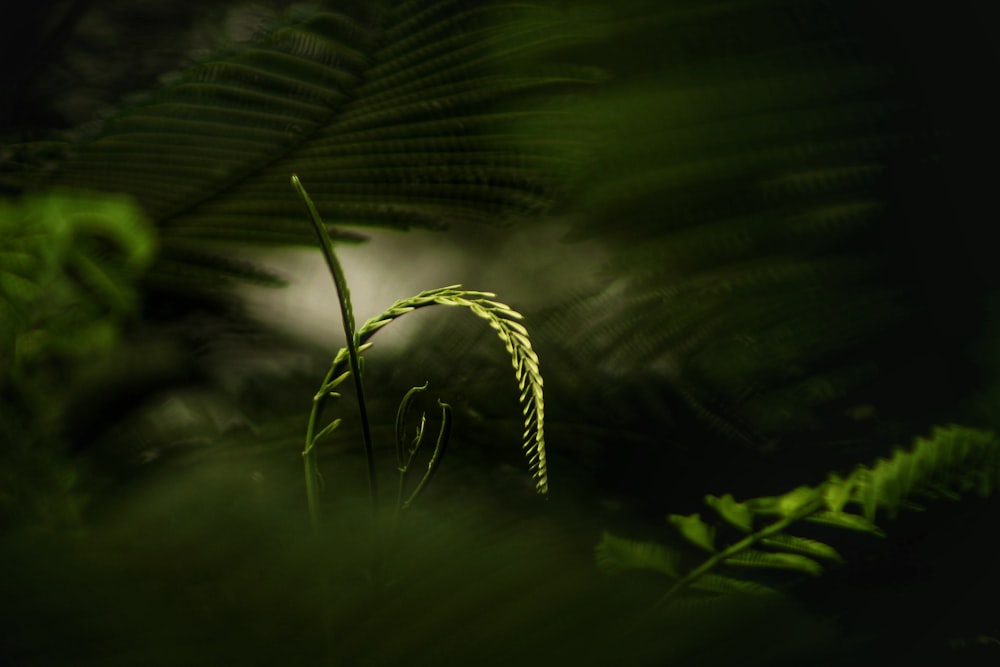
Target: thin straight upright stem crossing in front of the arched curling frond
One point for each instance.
(347, 316)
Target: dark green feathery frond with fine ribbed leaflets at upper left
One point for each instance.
(408, 114)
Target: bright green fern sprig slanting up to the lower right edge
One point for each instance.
(953, 461)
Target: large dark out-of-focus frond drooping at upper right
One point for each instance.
(748, 197)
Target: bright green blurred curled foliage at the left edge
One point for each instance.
(68, 267)
